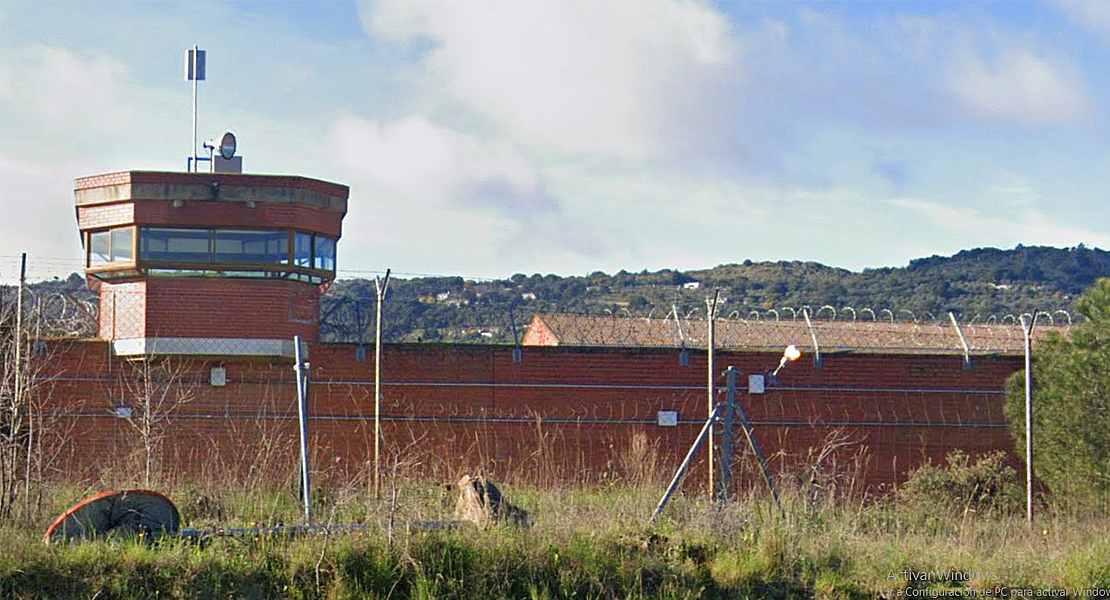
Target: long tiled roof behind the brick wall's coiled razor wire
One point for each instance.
(869, 337)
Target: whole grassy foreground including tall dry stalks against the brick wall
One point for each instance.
(588, 542)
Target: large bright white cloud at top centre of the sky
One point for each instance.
(623, 79)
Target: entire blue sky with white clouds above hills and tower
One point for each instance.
(485, 139)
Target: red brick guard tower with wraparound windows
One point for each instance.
(217, 265)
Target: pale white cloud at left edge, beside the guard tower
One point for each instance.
(66, 114)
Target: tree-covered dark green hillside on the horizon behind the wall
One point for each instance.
(974, 284)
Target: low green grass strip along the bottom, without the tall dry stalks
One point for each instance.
(587, 544)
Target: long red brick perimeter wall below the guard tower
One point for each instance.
(580, 414)
